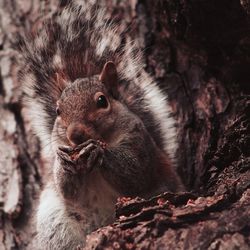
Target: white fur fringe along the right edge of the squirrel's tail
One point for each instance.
(129, 68)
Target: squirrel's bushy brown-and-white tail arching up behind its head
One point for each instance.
(76, 43)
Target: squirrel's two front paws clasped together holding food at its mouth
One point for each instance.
(82, 158)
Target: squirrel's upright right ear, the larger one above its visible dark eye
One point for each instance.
(109, 75)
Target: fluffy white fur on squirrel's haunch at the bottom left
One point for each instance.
(56, 229)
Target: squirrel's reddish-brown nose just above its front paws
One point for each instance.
(76, 133)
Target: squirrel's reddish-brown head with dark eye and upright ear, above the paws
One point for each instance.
(87, 108)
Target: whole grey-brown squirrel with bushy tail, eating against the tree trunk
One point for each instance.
(108, 126)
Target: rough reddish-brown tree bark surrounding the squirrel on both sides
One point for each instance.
(199, 52)
